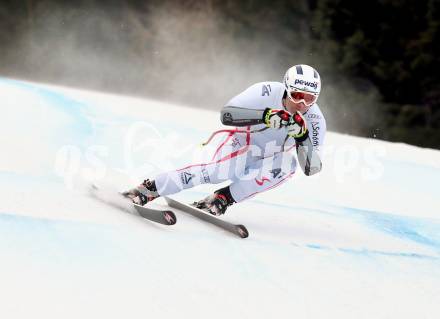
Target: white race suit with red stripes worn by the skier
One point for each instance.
(253, 157)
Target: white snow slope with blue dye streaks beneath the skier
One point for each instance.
(361, 240)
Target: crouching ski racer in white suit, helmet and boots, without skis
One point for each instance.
(278, 117)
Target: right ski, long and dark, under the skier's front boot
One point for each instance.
(238, 230)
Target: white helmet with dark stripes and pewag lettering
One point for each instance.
(304, 79)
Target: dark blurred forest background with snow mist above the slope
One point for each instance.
(379, 60)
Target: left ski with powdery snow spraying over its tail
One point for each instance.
(117, 200)
